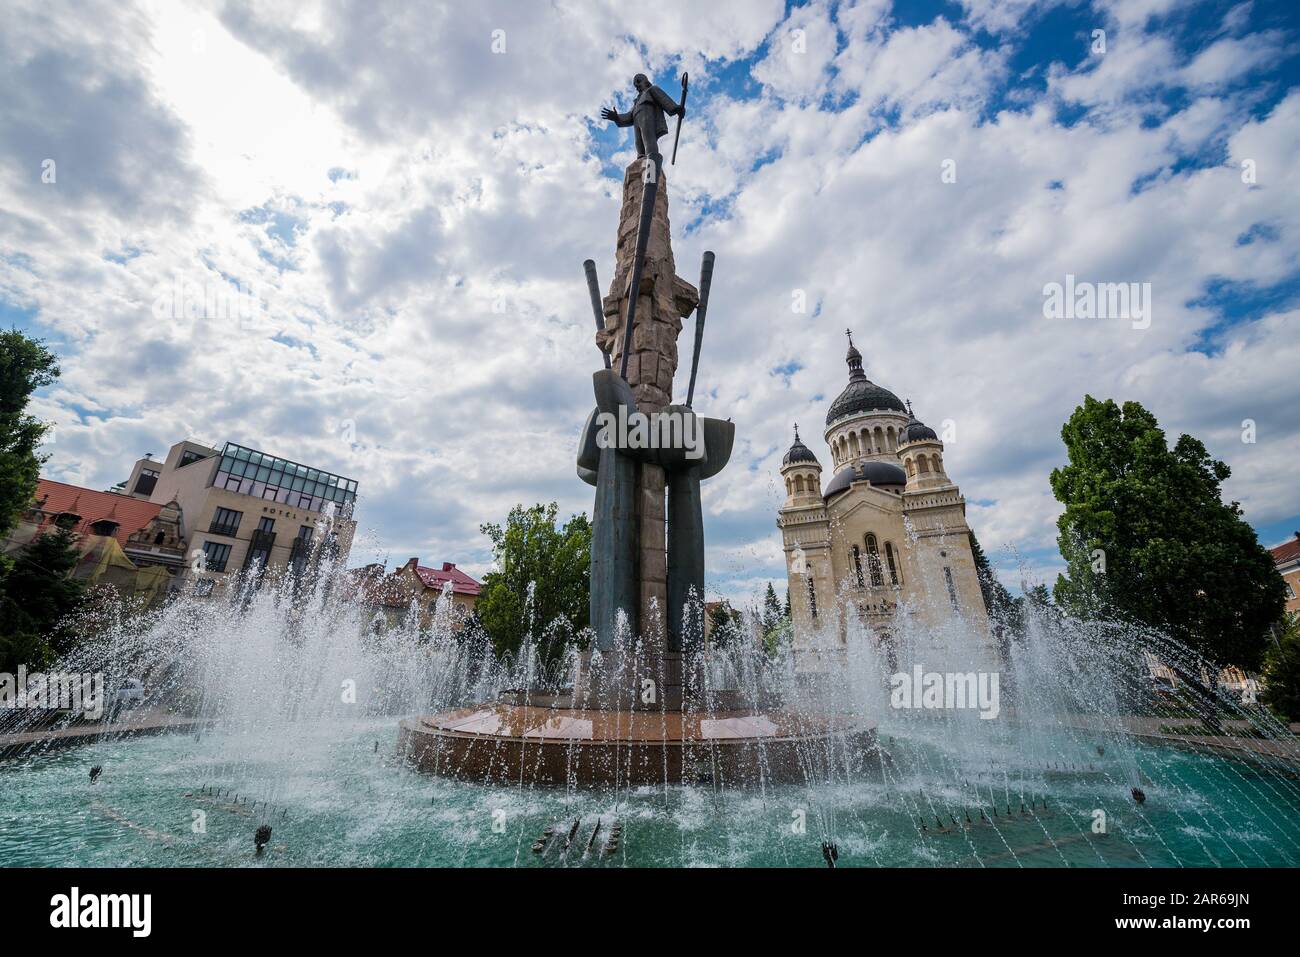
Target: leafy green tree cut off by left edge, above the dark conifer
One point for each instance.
(25, 366)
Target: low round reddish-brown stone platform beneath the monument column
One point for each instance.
(505, 743)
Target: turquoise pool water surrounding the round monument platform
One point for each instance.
(333, 800)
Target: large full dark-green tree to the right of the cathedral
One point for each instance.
(1147, 536)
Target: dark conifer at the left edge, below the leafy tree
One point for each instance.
(38, 597)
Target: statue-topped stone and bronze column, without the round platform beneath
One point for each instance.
(647, 552)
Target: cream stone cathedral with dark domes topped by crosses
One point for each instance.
(887, 535)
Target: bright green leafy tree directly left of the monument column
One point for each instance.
(531, 551)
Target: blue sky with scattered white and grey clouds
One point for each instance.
(395, 203)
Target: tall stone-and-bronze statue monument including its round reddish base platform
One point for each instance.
(635, 716)
